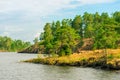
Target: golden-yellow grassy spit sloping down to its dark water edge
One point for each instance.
(94, 58)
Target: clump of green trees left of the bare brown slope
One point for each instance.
(59, 39)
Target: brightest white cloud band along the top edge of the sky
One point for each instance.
(42, 7)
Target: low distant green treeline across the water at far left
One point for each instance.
(8, 44)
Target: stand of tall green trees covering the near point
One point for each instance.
(63, 38)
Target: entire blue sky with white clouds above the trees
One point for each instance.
(23, 19)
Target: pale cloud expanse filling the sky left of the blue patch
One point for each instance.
(23, 17)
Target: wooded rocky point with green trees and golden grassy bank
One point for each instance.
(91, 40)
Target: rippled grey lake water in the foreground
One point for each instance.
(12, 69)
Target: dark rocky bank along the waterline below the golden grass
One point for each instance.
(97, 64)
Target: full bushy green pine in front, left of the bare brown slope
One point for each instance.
(66, 39)
